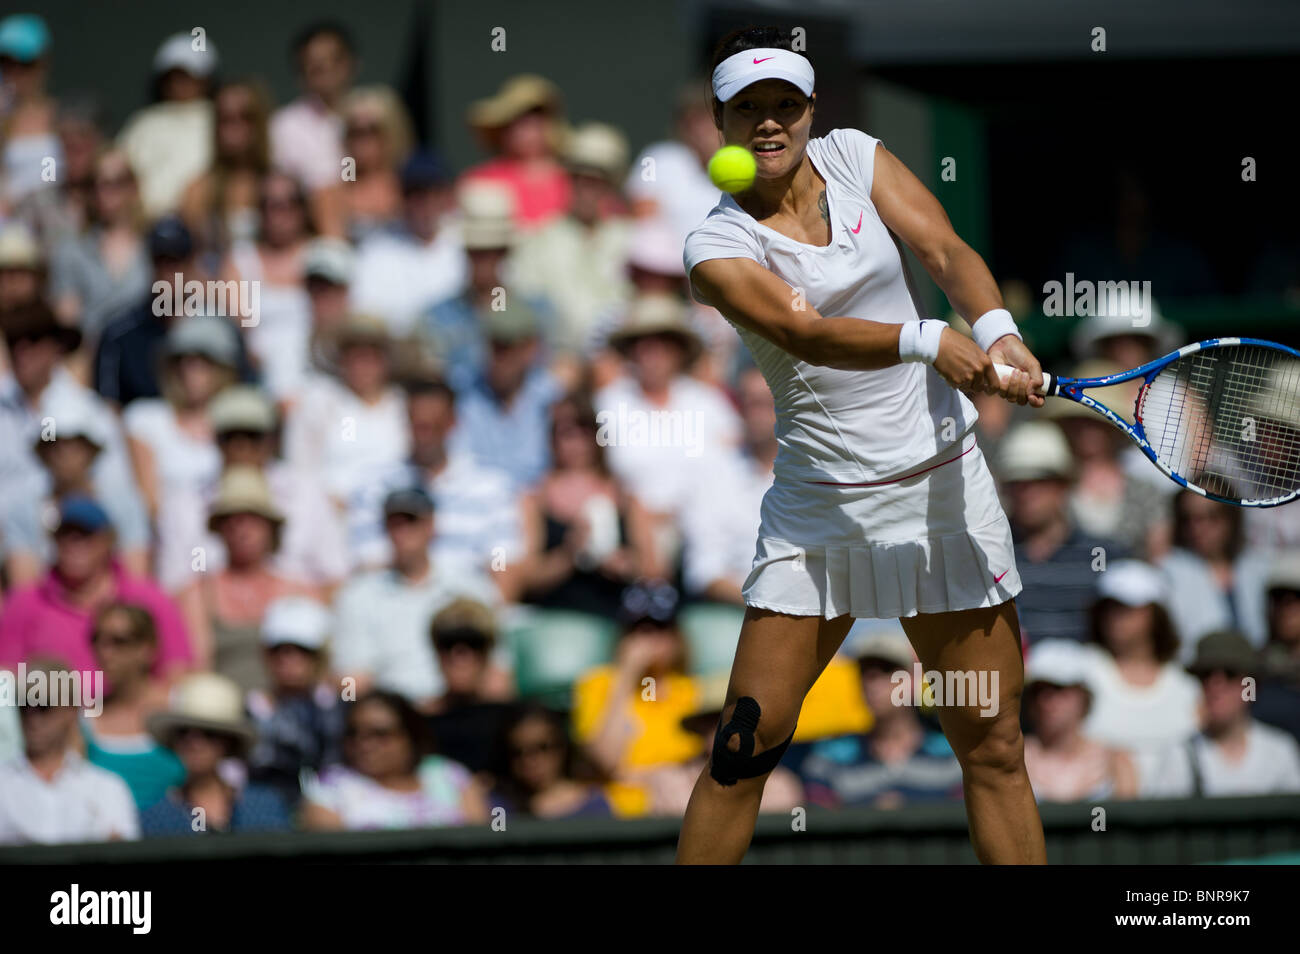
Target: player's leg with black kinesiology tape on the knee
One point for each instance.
(778, 661)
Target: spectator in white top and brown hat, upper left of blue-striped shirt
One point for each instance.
(350, 430)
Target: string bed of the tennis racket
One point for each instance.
(1228, 420)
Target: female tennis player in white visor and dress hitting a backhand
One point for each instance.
(882, 505)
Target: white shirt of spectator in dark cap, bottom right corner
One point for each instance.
(1271, 766)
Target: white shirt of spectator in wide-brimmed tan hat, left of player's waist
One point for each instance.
(652, 448)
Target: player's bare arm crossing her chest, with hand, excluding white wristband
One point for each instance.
(760, 302)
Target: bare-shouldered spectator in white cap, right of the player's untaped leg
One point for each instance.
(1064, 764)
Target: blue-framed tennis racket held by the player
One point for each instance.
(1220, 418)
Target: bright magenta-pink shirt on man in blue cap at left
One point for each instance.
(37, 621)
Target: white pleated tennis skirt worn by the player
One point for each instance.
(934, 541)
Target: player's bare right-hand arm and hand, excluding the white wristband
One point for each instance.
(916, 216)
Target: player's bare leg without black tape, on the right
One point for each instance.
(1004, 818)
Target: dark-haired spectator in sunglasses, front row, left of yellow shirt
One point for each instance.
(540, 782)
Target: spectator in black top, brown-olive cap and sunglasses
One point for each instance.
(470, 715)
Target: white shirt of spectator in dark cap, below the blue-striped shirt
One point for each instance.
(382, 627)
